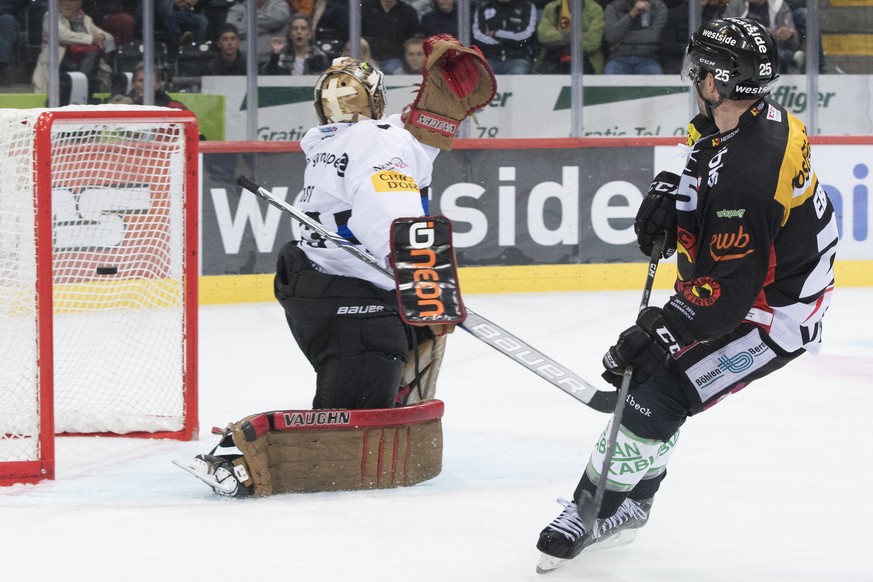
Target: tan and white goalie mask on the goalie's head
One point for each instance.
(349, 90)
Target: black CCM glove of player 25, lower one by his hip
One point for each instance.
(646, 346)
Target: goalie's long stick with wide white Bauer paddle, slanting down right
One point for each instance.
(483, 329)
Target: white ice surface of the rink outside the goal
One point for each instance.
(770, 485)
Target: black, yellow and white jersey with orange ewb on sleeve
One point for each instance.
(757, 235)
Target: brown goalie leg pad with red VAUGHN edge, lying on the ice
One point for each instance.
(300, 451)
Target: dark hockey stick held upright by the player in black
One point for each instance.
(588, 506)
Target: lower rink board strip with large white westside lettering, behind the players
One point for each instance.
(516, 204)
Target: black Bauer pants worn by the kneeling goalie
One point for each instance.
(349, 330)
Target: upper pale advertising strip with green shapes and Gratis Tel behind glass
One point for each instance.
(538, 106)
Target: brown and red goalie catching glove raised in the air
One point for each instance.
(457, 81)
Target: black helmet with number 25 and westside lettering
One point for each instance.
(740, 53)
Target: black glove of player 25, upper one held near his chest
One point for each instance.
(657, 214)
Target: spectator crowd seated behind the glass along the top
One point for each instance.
(301, 37)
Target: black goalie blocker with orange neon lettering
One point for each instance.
(424, 271)
